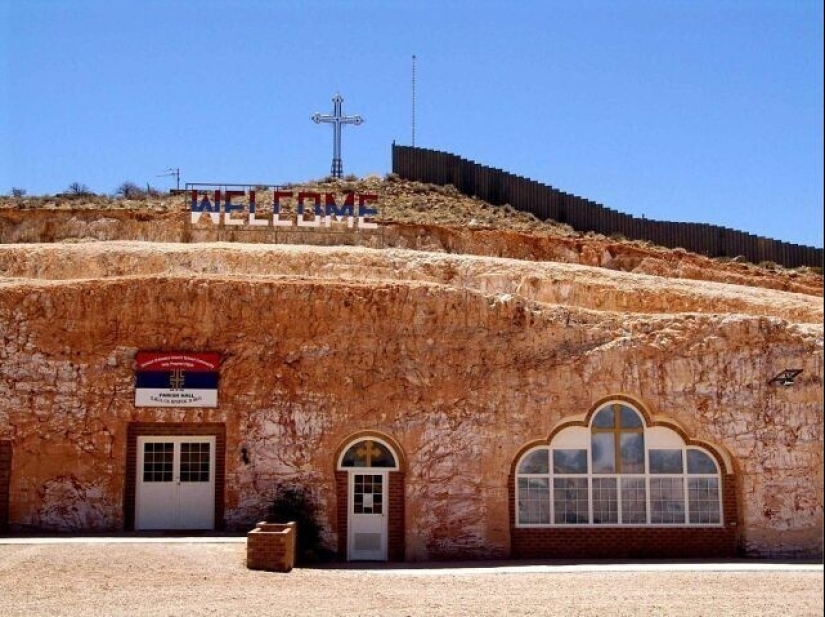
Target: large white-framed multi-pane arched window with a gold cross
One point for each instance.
(617, 471)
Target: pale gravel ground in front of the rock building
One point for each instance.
(211, 579)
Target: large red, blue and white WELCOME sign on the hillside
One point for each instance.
(278, 208)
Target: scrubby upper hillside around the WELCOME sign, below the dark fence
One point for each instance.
(410, 216)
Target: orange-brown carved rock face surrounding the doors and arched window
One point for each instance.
(462, 359)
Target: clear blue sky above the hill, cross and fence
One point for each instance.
(703, 110)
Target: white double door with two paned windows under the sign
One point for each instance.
(175, 486)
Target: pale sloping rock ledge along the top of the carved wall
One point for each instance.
(544, 282)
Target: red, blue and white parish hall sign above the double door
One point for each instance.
(176, 379)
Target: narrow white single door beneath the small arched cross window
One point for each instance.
(368, 516)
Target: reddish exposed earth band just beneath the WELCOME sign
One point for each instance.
(169, 223)
